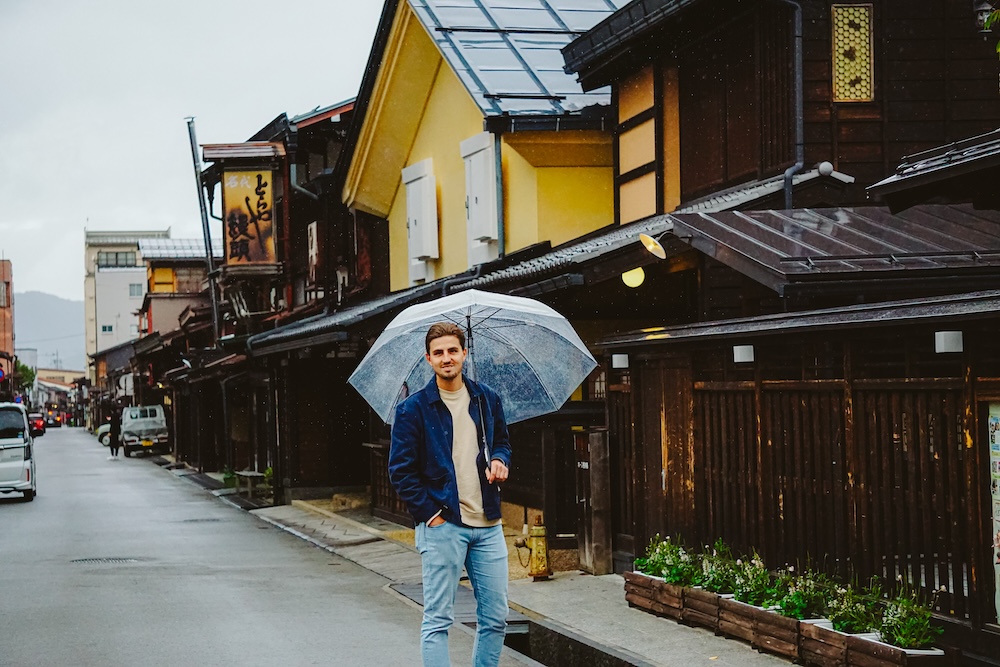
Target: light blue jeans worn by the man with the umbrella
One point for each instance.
(443, 551)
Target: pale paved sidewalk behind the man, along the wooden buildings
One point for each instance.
(588, 613)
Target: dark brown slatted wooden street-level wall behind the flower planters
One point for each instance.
(858, 452)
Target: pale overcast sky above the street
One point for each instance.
(94, 96)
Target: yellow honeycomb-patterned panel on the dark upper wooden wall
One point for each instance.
(853, 78)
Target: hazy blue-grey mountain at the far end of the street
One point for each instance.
(53, 326)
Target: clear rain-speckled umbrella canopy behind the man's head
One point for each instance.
(528, 353)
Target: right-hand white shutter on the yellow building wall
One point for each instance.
(480, 188)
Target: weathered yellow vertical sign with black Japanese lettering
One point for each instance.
(247, 201)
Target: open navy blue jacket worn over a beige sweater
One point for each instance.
(421, 467)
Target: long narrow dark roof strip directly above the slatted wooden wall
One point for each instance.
(973, 305)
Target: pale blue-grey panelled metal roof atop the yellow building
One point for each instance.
(507, 52)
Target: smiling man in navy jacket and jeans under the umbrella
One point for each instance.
(450, 451)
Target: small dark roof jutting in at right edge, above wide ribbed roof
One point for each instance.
(944, 170)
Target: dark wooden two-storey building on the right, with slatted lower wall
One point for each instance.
(816, 397)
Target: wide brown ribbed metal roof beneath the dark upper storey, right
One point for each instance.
(779, 247)
